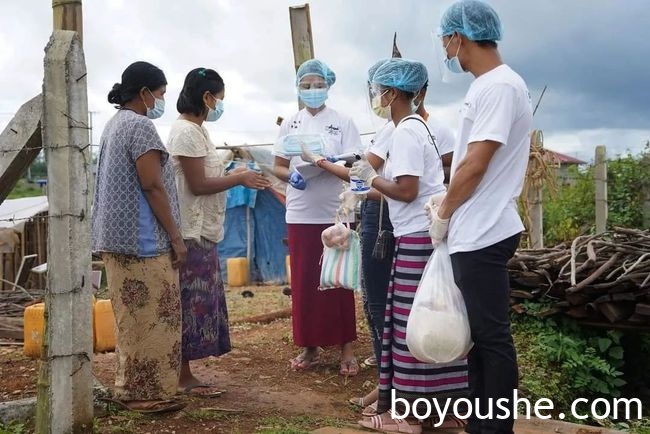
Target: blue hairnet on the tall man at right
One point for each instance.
(474, 19)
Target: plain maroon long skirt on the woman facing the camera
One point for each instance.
(320, 318)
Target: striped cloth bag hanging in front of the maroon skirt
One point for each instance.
(341, 268)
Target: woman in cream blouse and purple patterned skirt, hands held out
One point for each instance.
(201, 182)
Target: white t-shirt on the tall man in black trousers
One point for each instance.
(498, 108)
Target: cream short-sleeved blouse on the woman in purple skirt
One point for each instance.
(201, 216)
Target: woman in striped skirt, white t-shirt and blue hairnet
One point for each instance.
(412, 174)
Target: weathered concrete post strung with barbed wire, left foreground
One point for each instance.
(65, 400)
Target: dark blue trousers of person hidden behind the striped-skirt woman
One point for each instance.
(375, 274)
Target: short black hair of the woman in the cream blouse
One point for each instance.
(197, 82)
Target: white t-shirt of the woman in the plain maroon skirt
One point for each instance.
(317, 204)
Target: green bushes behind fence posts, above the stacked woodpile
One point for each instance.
(572, 211)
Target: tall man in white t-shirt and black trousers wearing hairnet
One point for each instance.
(480, 210)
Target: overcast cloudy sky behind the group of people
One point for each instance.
(594, 55)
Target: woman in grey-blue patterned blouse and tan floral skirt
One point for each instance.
(135, 229)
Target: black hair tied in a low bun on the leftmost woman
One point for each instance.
(136, 76)
